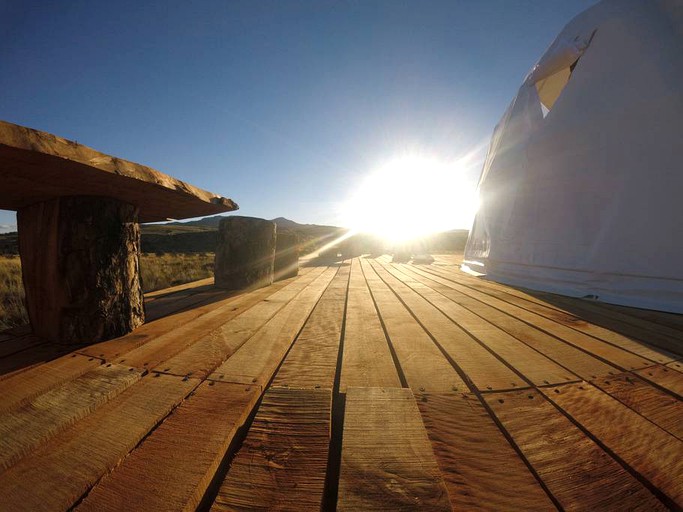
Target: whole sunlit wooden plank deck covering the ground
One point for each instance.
(364, 385)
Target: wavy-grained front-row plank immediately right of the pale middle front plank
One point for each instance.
(481, 469)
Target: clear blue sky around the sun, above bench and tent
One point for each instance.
(283, 106)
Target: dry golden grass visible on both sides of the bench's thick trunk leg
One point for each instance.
(158, 271)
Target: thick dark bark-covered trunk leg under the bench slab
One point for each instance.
(80, 261)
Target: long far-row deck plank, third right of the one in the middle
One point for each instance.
(534, 366)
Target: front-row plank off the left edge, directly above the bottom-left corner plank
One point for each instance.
(28, 426)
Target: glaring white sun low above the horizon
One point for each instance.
(410, 198)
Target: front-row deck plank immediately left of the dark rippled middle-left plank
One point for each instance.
(173, 467)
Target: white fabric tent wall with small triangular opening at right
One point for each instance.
(585, 196)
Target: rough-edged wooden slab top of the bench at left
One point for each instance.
(37, 166)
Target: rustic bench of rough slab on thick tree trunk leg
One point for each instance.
(78, 215)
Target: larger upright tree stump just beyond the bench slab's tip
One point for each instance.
(245, 253)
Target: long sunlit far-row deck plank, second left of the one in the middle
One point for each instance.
(257, 359)
